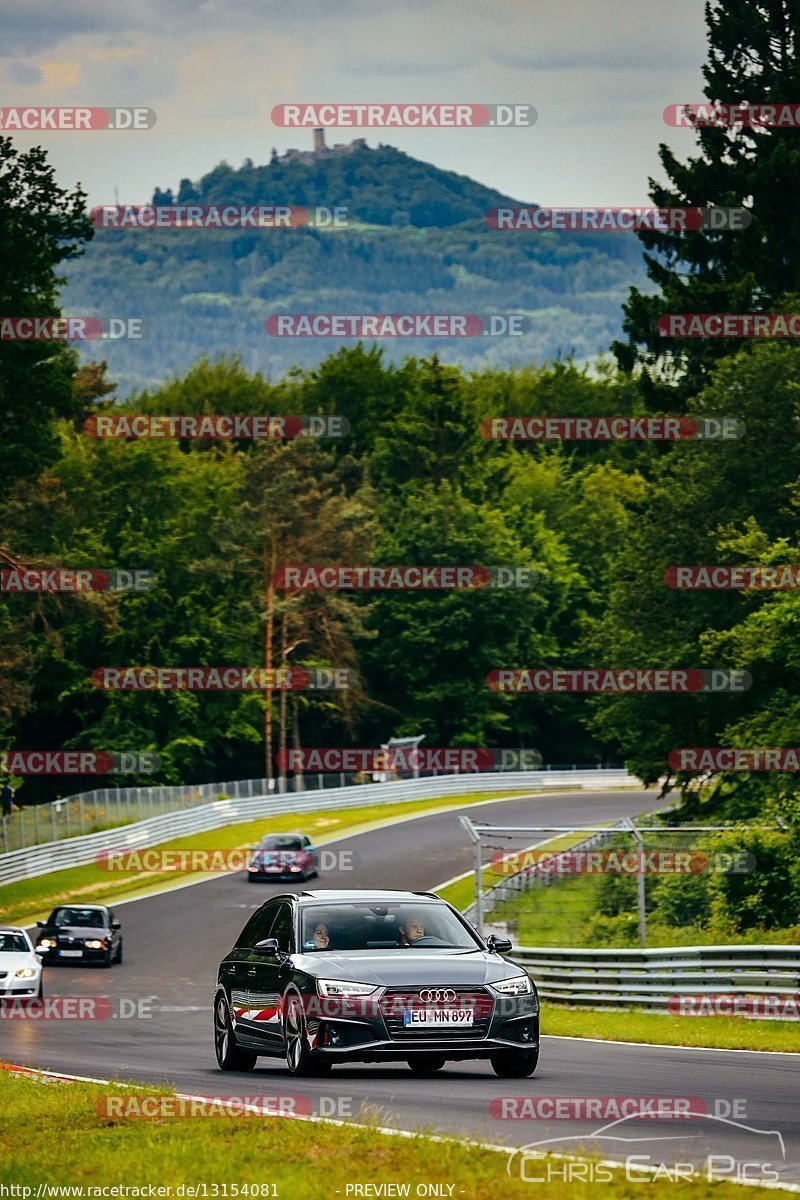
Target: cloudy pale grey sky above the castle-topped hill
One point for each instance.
(599, 75)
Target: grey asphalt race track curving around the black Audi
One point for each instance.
(173, 944)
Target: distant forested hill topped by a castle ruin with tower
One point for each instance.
(417, 242)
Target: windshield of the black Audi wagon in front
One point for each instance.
(375, 926)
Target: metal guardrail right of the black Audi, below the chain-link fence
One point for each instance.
(652, 979)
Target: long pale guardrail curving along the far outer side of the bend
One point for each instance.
(56, 856)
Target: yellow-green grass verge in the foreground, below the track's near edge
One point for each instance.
(79, 1147)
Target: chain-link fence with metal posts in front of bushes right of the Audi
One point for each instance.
(625, 885)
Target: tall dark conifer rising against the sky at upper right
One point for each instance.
(754, 59)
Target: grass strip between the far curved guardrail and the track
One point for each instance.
(31, 899)
